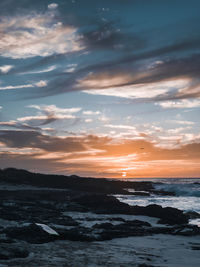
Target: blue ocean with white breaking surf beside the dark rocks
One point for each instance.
(187, 196)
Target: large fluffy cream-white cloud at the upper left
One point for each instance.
(36, 34)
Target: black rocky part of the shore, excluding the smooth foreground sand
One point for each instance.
(41, 215)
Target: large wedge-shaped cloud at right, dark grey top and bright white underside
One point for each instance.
(173, 79)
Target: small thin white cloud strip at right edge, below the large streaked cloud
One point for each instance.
(185, 103)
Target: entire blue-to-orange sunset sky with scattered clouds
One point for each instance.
(100, 88)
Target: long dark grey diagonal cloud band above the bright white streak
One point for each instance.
(134, 65)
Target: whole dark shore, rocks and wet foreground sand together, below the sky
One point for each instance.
(75, 226)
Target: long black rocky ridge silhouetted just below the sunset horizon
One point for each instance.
(104, 186)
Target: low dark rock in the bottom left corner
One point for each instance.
(8, 252)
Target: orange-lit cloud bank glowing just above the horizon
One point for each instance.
(99, 154)
